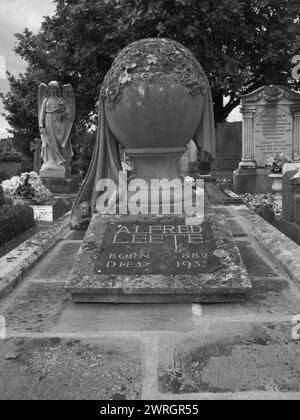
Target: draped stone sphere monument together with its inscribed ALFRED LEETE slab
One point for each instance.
(153, 101)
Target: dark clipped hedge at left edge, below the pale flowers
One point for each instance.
(13, 221)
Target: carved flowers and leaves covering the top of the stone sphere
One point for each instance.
(151, 60)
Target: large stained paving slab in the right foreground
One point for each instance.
(231, 357)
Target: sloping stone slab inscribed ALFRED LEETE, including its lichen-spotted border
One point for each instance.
(135, 259)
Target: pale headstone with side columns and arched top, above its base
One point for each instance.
(270, 116)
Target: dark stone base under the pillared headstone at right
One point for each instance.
(252, 180)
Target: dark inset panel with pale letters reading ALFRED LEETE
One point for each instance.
(145, 248)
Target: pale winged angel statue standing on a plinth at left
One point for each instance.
(56, 119)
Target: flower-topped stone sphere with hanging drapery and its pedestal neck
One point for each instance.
(154, 100)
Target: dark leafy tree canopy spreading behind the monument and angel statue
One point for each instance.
(241, 44)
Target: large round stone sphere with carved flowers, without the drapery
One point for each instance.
(154, 95)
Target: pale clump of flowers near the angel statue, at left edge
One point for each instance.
(28, 186)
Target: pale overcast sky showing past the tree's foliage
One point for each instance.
(15, 16)
